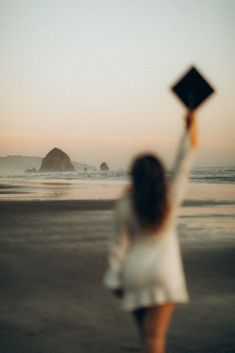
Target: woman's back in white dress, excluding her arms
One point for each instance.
(152, 271)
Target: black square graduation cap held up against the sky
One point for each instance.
(192, 89)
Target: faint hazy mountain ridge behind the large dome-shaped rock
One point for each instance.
(15, 164)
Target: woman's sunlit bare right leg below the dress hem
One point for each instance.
(156, 325)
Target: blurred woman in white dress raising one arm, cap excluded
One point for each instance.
(145, 266)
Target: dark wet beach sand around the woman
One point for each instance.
(52, 259)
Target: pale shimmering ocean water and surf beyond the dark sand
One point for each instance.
(215, 184)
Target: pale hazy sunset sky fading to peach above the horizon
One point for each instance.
(93, 78)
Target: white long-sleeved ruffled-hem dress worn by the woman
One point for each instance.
(148, 267)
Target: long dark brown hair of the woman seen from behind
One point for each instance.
(149, 191)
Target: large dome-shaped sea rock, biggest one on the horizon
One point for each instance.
(56, 161)
